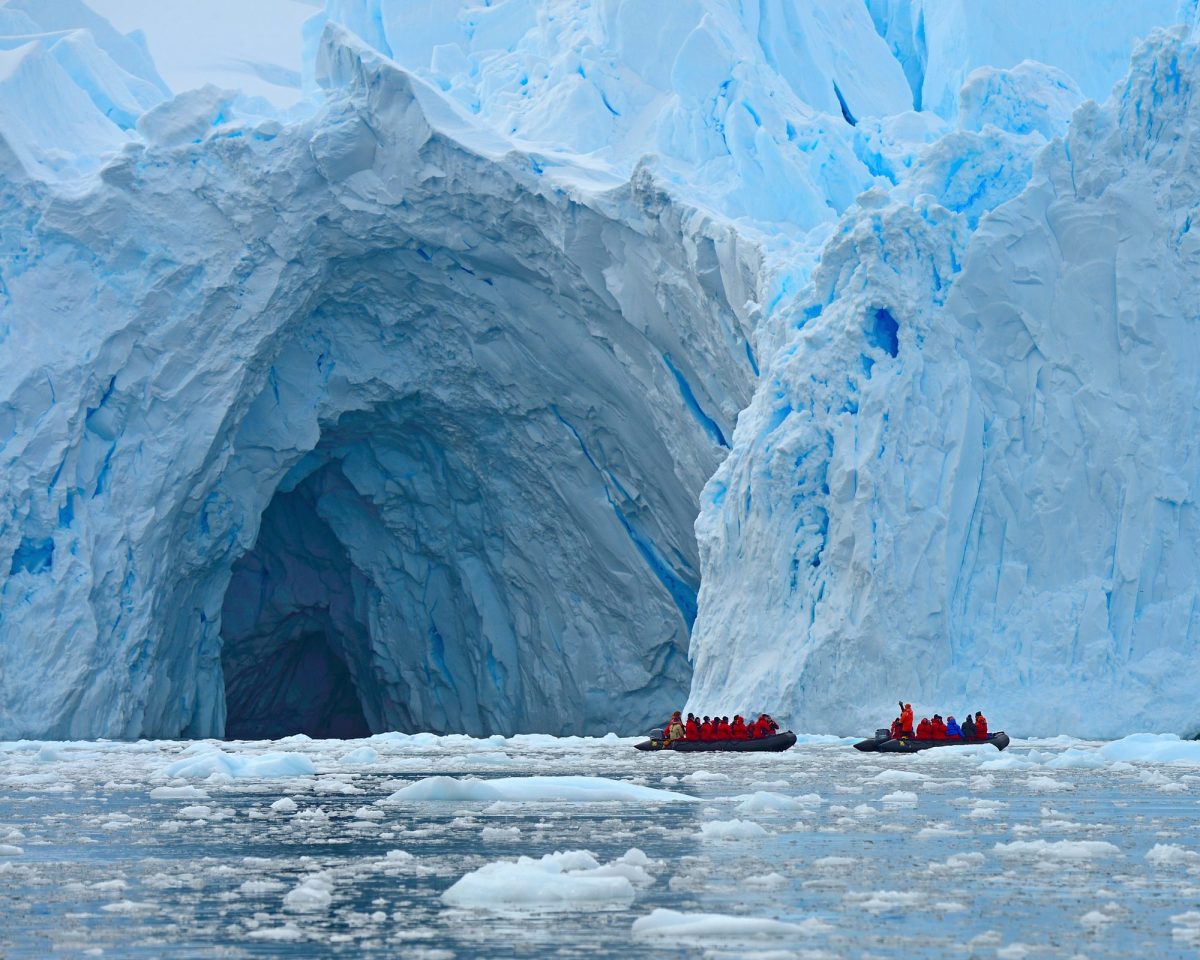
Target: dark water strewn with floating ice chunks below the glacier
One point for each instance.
(93, 855)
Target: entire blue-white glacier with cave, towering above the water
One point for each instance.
(530, 367)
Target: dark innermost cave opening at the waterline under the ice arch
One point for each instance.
(295, 646)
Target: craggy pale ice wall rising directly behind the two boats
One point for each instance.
(969, 478)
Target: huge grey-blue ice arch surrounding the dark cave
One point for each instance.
(459, 359)
